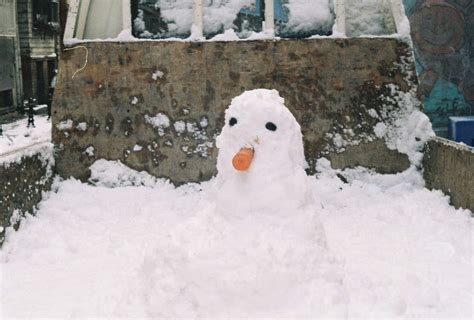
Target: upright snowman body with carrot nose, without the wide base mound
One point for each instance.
(261, 163)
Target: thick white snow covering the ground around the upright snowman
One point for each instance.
(130, 245)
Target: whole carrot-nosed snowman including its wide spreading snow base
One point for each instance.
(257, 248)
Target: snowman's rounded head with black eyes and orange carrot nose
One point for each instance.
(260, 138)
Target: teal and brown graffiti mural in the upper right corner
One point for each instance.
(443, 37)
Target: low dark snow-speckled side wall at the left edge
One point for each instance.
(24, 176)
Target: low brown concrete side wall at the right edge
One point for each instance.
(449, 167)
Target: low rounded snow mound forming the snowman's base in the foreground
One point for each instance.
(216, 266)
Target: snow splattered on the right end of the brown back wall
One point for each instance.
(402, 125)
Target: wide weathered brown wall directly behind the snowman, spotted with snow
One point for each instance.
(158, 106)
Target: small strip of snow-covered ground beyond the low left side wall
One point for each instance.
(16, 135)
